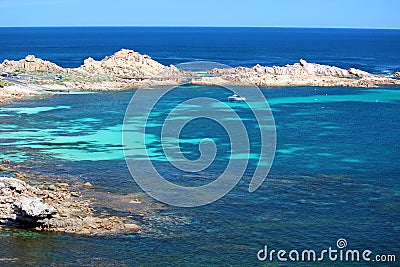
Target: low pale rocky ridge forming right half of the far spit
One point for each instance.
(298, 74)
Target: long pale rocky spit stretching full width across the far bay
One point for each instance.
(128, 69)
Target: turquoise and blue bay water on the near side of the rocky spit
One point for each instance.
(335, 175)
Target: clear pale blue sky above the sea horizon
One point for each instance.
(268, 13)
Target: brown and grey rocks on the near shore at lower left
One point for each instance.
(55, 207)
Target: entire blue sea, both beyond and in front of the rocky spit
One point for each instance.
(335, 173)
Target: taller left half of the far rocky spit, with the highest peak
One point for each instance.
(125, 69)
